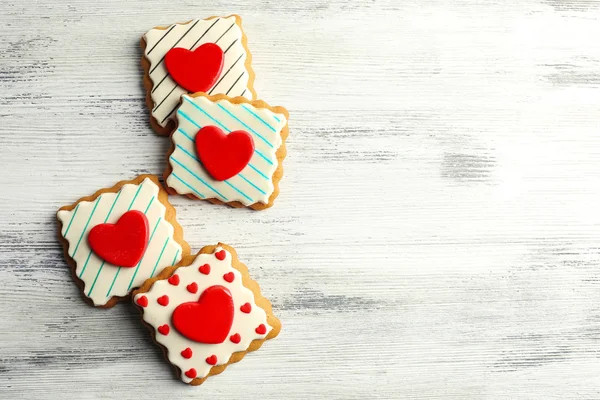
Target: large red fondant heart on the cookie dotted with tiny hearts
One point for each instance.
(209, 319)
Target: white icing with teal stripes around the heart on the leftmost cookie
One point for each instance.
(99, 276)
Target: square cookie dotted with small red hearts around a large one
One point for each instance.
(207, 313)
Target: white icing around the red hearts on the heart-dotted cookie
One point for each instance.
(243, 324)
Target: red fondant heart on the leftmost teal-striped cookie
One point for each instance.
(122, 244)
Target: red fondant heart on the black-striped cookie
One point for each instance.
(195, 71)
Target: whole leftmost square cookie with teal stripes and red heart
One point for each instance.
(117, 238)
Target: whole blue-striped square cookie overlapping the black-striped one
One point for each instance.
(215, 134)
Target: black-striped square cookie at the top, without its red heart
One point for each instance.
(163, 93)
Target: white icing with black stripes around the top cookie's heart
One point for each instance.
(234, 77)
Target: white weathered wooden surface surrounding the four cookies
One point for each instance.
(437, 235)
